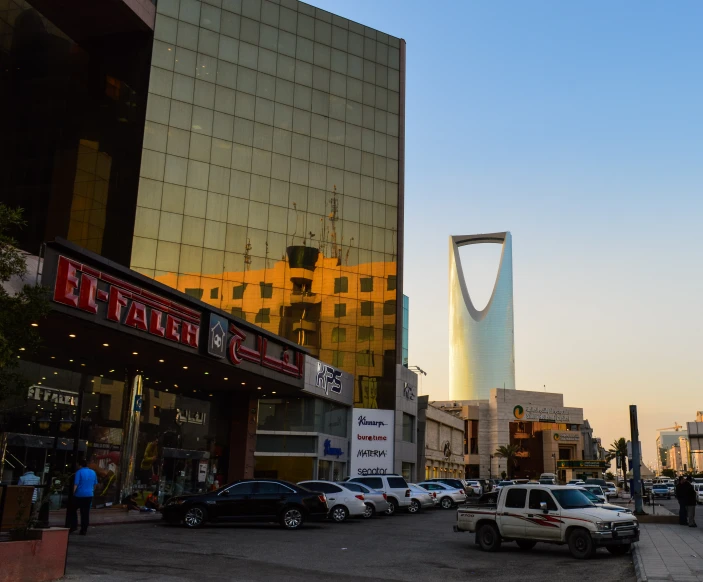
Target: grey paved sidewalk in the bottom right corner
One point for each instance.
(669, 552)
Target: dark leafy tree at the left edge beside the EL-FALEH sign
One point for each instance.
(18, 311)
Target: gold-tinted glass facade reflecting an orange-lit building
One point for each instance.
(271, 176)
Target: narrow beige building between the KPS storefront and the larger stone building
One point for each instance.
(440, 442)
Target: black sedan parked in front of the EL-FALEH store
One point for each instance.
(255, 500)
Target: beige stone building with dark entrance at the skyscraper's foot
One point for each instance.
(547, 433)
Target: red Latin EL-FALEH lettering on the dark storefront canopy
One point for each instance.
(85, 288)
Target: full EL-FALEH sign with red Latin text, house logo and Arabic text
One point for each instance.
(86, 288)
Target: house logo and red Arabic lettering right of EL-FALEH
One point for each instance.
(227, 341)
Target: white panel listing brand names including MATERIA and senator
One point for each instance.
(372, 442)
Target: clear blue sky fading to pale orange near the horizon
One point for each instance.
(578, 127)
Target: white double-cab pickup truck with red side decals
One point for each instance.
(527, 514)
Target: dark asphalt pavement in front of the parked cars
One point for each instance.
(404, 547)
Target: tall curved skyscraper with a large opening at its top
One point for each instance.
(481, 343)
